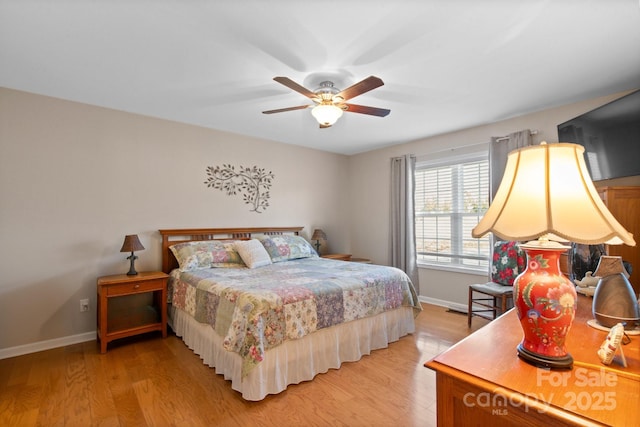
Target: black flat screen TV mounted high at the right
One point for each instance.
(611, 137)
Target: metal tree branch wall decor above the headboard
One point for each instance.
(253, 183)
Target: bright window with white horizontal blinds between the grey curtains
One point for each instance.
(451, 197)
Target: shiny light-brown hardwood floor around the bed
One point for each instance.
(150, 381)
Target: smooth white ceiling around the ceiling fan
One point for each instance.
(446, 65)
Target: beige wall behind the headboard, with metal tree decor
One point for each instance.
(74, 179)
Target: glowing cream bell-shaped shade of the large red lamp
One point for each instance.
(546, 190)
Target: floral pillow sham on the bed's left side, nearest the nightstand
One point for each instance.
(206, 254)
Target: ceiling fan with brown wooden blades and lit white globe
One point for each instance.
(329, 102)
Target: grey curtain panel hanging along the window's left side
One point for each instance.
(403, 234)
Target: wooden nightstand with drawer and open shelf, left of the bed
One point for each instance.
(126, 320)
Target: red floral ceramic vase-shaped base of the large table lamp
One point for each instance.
(546, 304)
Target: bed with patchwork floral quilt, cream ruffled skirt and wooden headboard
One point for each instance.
(262, 308)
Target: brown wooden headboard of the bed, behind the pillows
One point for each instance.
(181, 235)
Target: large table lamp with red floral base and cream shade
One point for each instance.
(546, 197)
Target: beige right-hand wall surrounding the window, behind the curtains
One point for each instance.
(369, 189)
